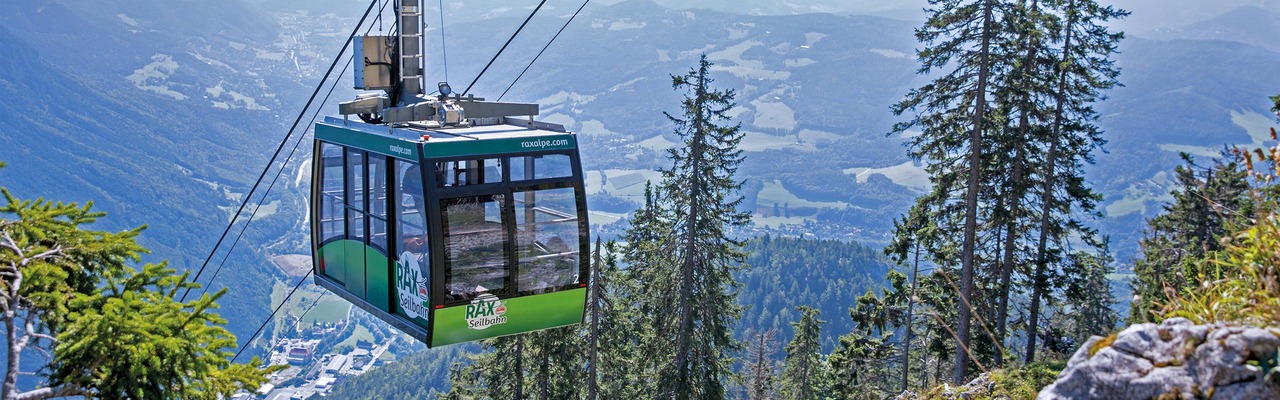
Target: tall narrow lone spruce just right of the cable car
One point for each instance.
(700, 310)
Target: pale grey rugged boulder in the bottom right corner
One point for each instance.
(1174, 360)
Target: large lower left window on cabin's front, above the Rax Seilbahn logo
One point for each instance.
(476, 247)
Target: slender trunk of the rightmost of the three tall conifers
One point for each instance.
(1048, 196)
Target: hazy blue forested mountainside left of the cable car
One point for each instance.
(141, 108)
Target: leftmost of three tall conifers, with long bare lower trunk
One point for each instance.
(954, 116)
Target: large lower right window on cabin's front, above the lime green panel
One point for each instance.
(547, 239)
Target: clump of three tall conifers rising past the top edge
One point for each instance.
(1007, 129)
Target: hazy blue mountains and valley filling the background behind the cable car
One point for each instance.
(166, 112)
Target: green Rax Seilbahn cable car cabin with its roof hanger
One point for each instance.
(450, 217)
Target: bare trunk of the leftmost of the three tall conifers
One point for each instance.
(971, 224)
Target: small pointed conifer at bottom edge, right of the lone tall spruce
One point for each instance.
(803, 365)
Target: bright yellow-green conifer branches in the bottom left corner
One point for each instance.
(115, 333)
